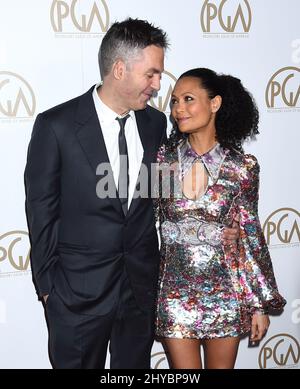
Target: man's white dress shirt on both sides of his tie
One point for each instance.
(110, 130)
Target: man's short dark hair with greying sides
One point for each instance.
(125, 39)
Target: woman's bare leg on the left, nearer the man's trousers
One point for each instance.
(183, 353)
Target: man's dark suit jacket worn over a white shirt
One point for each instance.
(79, 242)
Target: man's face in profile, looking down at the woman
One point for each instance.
(142, 77)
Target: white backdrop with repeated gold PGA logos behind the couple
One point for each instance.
(48, 54)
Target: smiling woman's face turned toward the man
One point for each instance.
(192, 109)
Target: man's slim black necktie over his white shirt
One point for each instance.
(123, 183)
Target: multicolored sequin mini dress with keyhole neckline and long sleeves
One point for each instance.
(208, 290)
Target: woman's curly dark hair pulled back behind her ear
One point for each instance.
(238, 117)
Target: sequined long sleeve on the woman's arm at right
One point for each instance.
(255, 268)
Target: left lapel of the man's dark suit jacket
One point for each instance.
(90, 137)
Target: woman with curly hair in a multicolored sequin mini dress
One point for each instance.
(211, 294)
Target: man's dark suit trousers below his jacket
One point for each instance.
(79, 341)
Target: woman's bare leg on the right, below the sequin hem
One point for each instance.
(220, 353)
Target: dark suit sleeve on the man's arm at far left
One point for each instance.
(42, 186)
